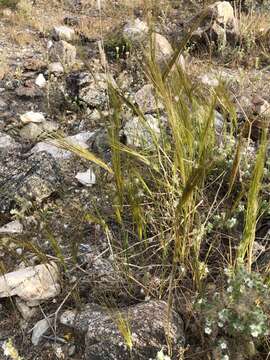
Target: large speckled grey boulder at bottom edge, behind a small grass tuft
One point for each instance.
(150, 325)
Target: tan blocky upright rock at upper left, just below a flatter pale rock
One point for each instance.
(63, 52)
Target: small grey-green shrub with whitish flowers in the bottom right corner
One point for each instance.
(238, 313)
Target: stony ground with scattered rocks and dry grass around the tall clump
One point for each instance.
(62, 294)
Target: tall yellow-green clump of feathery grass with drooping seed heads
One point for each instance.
(165, 196)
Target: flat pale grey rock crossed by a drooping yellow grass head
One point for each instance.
(50, 147)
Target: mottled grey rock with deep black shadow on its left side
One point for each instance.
(89, 88)
